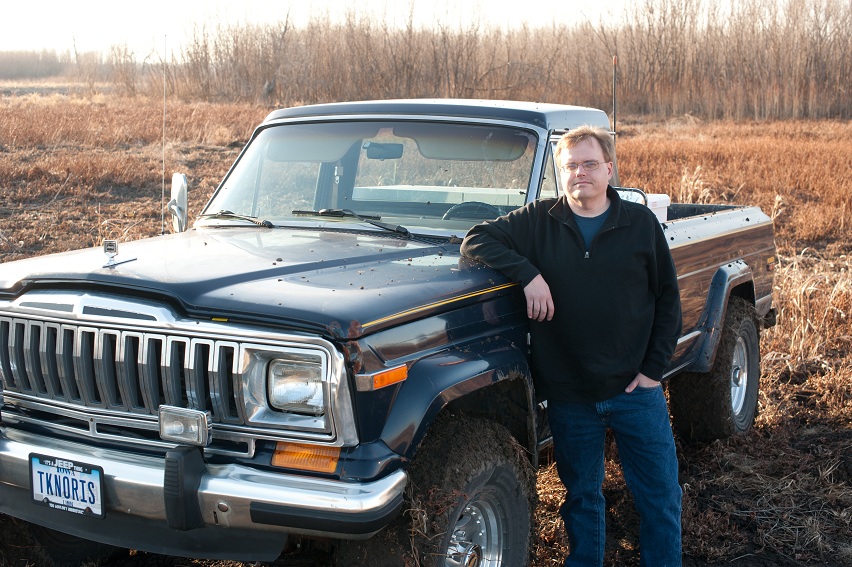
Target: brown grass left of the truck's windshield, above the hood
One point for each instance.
(77, 170)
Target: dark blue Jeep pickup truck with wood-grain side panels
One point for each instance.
(313, 367)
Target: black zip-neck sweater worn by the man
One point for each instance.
(617, 305)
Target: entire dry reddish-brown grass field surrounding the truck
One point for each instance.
(76, 170)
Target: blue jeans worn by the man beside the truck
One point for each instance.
(643, 434)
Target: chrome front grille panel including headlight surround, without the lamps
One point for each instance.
(101, 365)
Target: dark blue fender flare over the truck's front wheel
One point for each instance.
(448, 376)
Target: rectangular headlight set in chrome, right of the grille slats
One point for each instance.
(296, 386)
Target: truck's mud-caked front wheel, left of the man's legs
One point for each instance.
(472, 496)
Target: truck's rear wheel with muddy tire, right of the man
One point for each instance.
(723, 402)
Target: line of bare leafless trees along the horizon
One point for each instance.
(745, 59)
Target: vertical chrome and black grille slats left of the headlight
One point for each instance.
(120, 370)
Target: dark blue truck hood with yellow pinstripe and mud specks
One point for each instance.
(338, 283)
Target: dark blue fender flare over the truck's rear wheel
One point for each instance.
(724, 283)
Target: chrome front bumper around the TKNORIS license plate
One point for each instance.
(245, 514)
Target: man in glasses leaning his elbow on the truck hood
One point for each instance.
(604, 309)
